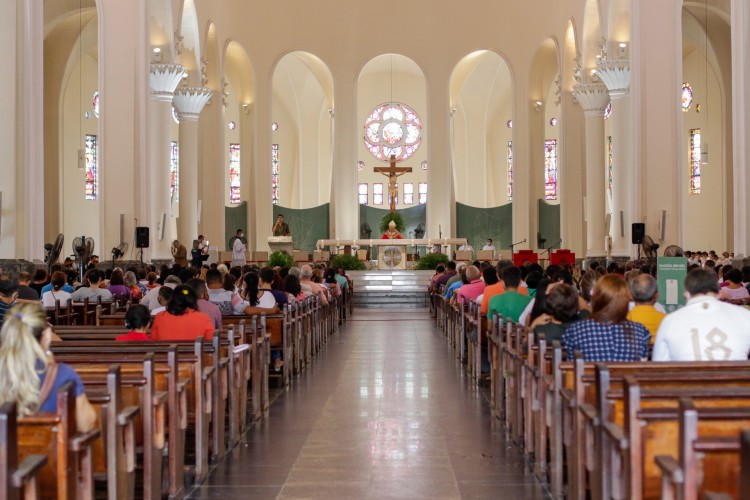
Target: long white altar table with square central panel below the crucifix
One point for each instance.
(392, 253)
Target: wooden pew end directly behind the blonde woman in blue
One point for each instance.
(67, 475)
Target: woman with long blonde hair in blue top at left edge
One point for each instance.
(29, 375)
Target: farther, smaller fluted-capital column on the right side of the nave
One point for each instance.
(593, 98)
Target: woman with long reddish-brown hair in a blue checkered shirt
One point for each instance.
(608, 336)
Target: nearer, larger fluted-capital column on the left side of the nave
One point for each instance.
(164, 79)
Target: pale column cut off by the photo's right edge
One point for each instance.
(740, 19)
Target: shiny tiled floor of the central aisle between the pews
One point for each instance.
(384, 412)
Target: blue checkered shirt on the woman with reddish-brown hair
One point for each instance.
(626, 341)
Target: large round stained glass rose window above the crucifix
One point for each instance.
(393, 129)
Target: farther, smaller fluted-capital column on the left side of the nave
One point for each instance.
(189, 101)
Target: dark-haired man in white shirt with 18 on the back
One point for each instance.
(706, 329)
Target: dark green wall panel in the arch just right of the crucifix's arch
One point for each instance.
(478, 224)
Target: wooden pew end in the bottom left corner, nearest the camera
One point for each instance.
(16, 480)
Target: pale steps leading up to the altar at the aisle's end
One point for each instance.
(390, 288)
